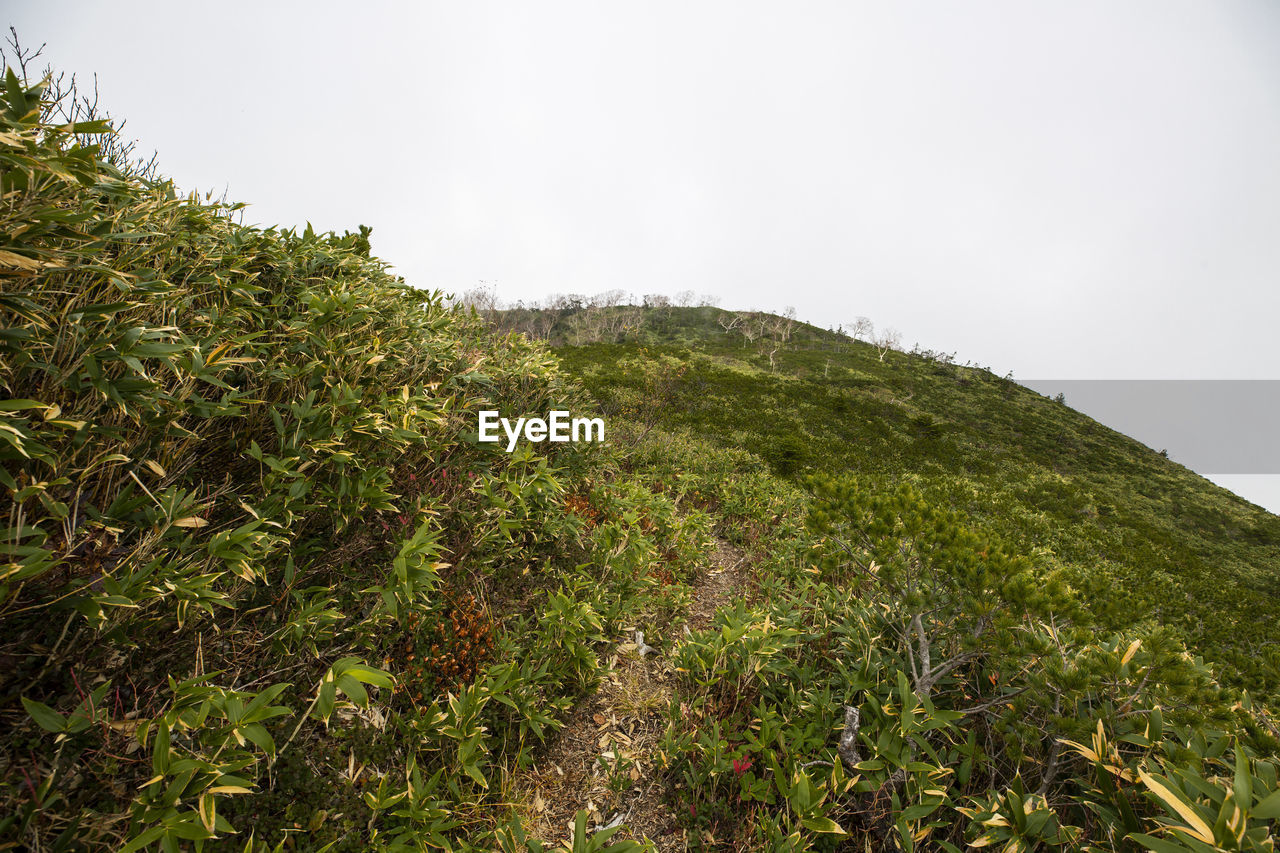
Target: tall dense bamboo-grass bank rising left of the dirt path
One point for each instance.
(254, 576)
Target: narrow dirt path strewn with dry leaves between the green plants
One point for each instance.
(602, 760)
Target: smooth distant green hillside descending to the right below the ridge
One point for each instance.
(1142, 537)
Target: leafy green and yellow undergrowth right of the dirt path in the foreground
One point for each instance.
(900, 677)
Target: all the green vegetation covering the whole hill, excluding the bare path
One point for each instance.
(263, 589)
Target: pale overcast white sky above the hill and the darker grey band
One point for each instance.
(1073, 190)
